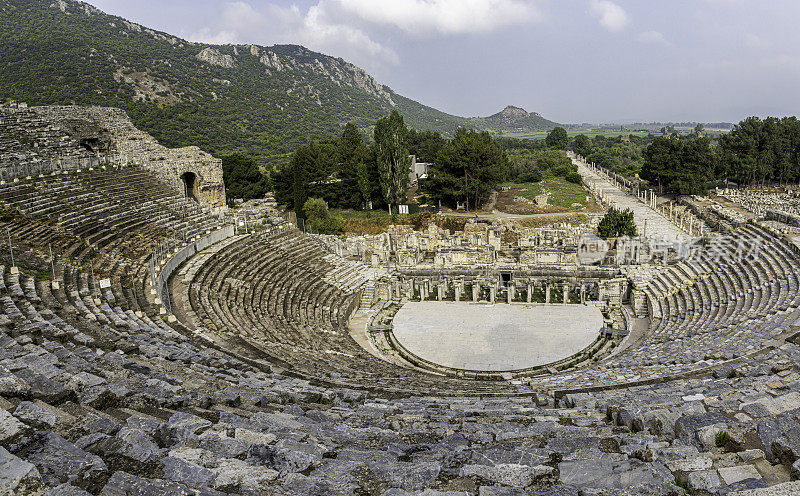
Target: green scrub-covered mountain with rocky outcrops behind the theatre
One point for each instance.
(264, 101)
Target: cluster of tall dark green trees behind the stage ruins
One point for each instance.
(355, 170)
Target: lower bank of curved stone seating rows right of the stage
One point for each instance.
(708, 310)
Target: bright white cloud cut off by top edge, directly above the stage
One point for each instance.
(425, 17)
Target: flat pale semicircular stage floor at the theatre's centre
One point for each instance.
(495, 338)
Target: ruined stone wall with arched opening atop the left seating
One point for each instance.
(50, 133)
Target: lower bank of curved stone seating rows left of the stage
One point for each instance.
(272, 289)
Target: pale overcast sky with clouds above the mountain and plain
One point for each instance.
(570, 60)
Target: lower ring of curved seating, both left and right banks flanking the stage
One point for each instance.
(269, 289)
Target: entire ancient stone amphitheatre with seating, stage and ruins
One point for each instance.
(152, 343)
